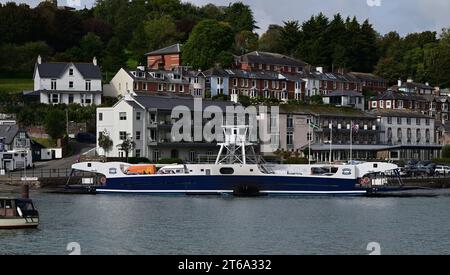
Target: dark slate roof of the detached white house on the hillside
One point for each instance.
(56, 70)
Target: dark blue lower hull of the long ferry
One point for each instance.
(262, 185)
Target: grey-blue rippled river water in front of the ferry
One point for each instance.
(141, 224)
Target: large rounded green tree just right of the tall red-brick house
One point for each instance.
(201, 55)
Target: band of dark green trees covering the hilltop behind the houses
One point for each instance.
(120, 32)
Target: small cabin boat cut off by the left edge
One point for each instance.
(18, 214)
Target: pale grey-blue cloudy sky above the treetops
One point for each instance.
(404, 16)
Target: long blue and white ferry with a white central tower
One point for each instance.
(232, 174)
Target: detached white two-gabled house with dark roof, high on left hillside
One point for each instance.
(68, 83)
